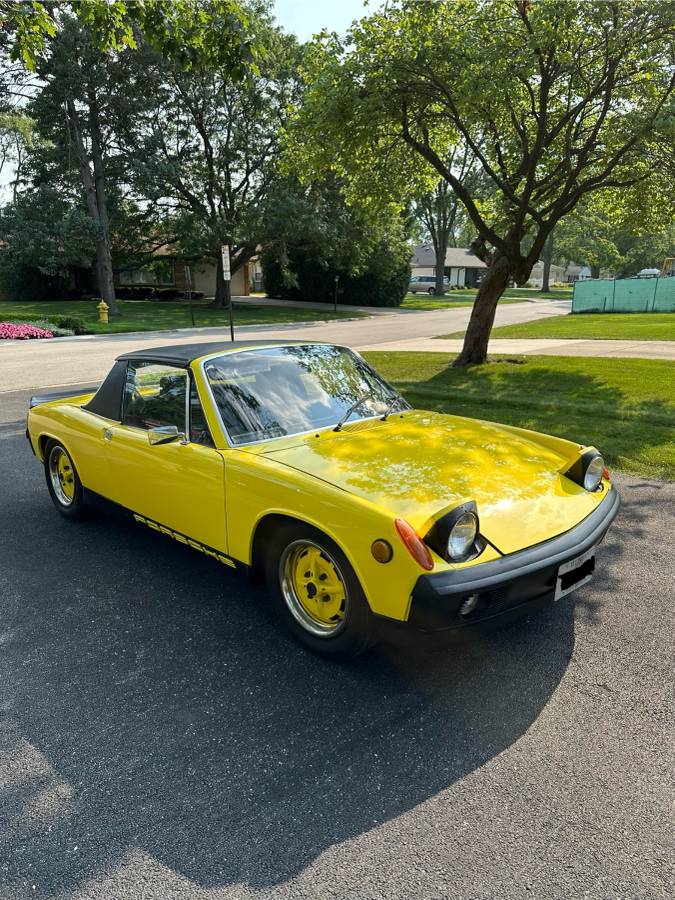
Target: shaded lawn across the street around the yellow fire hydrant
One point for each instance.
(145, 315)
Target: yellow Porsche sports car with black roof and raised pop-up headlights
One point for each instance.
(298, 461)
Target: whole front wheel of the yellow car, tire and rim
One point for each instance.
(317, 594)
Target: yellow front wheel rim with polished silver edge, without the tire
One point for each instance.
(313, 588)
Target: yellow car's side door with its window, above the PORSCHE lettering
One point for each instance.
(179, 484)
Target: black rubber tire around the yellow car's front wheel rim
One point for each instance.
(355, 632)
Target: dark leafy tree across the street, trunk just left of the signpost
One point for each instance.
(203, 147)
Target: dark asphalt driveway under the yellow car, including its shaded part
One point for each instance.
(161, 738)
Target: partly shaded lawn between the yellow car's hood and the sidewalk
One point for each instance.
(625, 407)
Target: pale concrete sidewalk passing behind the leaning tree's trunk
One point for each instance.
(541, 347)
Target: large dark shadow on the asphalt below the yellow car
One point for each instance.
(150, 701)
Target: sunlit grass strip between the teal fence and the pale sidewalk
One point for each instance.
(589, 326)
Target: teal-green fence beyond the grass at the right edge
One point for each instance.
(625, 295)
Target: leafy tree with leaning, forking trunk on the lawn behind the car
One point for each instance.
(554, 100)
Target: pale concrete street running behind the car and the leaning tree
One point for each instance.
(36, 364)
